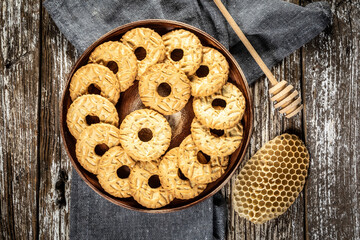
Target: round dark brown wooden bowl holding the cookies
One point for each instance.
(180, 122)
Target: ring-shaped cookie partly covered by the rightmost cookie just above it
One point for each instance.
(219, 142)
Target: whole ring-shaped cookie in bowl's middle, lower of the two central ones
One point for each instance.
(145, 134)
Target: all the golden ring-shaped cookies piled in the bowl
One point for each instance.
(134, 159)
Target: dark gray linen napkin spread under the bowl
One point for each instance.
(275, 28)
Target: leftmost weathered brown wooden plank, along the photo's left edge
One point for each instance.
(19, 87)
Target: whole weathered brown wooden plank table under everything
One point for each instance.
(35, 171)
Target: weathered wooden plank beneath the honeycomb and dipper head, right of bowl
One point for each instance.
(268, 123)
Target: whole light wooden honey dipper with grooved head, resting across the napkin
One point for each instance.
(282, 93)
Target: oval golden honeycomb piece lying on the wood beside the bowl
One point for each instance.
(272, 179)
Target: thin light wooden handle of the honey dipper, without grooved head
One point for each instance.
(246, 42)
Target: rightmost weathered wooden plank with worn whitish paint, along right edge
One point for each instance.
(332, 91)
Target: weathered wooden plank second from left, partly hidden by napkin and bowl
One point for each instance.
(58, 57)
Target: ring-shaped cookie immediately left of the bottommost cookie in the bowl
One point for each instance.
(114, 171)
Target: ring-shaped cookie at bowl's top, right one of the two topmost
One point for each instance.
(183, 49)
